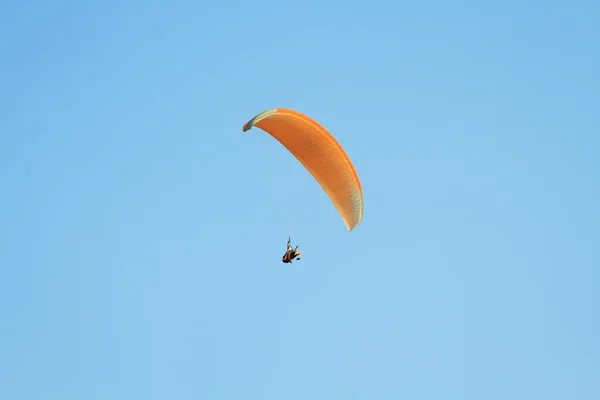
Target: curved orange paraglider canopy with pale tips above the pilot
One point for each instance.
(320, 154)
